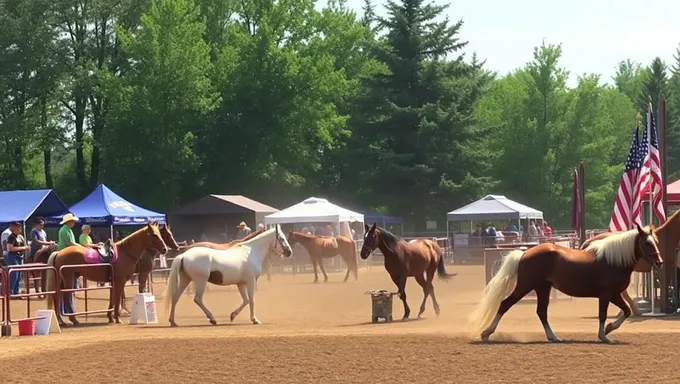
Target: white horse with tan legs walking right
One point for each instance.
(240, 265)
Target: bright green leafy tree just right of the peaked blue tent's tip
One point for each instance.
(159, 105)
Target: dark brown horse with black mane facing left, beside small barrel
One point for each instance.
(420, 259)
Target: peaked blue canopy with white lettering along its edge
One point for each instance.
(105, 207)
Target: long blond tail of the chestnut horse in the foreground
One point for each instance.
(498, 289)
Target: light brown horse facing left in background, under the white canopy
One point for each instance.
(320, 248)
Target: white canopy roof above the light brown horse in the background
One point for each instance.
(313, 210)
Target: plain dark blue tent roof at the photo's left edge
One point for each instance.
(21, 205)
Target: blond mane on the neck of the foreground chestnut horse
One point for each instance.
(617, 250)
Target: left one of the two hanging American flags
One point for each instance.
(628, 195)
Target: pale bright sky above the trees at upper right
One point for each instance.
(595, 34)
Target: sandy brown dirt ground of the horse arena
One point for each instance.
(321, 333)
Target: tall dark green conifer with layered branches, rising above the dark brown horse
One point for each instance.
(415, 139)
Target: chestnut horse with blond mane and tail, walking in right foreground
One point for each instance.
(603, 270)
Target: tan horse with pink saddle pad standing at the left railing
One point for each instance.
(124, 255)
